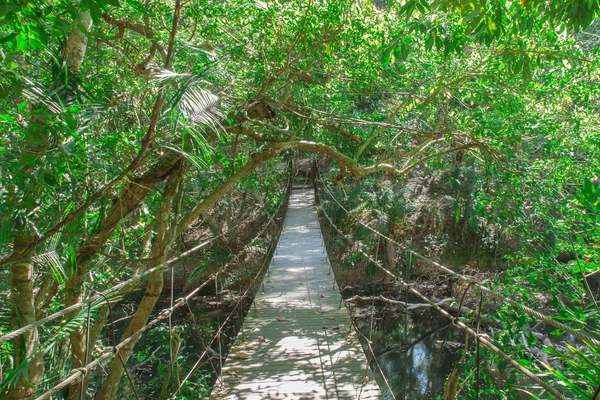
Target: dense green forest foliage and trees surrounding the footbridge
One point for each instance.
(469, 126)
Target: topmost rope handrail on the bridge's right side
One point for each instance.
(582, 334)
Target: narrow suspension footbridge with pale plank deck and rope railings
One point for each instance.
(298, 341)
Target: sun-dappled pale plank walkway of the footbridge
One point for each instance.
(297, 341)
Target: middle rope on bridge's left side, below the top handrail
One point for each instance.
(79, 373)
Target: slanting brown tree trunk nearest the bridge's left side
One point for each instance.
(163, 241)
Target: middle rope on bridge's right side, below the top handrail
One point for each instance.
(483, 339)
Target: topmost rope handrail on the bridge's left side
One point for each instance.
(112, 289)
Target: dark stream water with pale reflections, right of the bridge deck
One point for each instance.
(407, 356)
